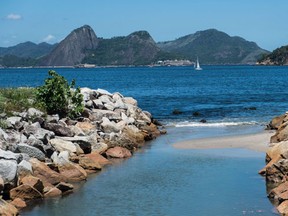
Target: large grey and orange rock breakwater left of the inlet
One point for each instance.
(42, 155)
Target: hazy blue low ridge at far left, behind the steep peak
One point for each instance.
(28, 50)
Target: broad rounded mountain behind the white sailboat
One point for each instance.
(214, 47)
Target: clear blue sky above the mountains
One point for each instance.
(261, 21)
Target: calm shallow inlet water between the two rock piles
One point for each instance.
(161, 180)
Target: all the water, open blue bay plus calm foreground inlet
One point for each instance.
(162, 180)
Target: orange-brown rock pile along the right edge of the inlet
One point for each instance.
(276, 169)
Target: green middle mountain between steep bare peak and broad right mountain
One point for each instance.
(138, 48)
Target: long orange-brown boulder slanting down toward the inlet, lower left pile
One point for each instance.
(47, 175)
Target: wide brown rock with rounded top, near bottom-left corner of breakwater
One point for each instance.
(25, 192)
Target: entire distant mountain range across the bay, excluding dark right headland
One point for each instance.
(83, 46)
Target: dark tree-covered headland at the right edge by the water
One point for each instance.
(278, 57)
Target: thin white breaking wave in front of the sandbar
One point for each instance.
(211, 124)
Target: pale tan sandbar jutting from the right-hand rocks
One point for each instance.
(256, 142)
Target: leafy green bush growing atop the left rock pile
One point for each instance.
(58, 97)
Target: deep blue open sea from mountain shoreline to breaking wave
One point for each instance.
(220, 94)
